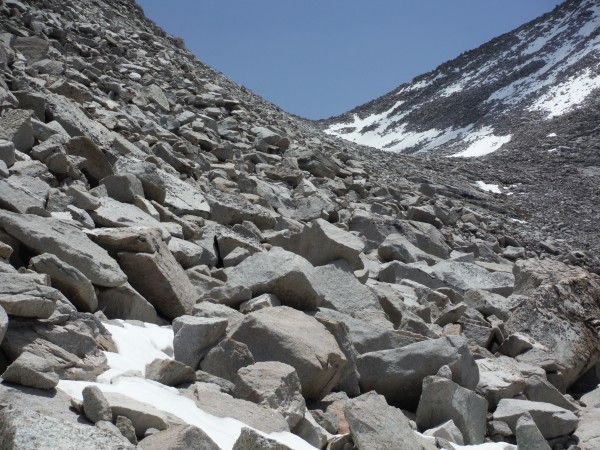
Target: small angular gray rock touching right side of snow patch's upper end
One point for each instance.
(195, 336)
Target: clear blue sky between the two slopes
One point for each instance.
(318, 58)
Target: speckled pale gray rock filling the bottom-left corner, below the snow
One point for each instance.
(20, 427)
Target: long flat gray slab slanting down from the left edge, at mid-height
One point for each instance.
(67, 242)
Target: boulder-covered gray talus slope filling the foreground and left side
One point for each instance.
(310, 288)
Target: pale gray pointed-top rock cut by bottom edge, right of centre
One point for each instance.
(375, 425)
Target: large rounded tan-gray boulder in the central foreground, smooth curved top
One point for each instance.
(292, 337)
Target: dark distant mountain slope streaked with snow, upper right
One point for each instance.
(476, 103)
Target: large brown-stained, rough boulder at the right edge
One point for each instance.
(560, 300)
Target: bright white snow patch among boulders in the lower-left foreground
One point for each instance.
(138, 346)
